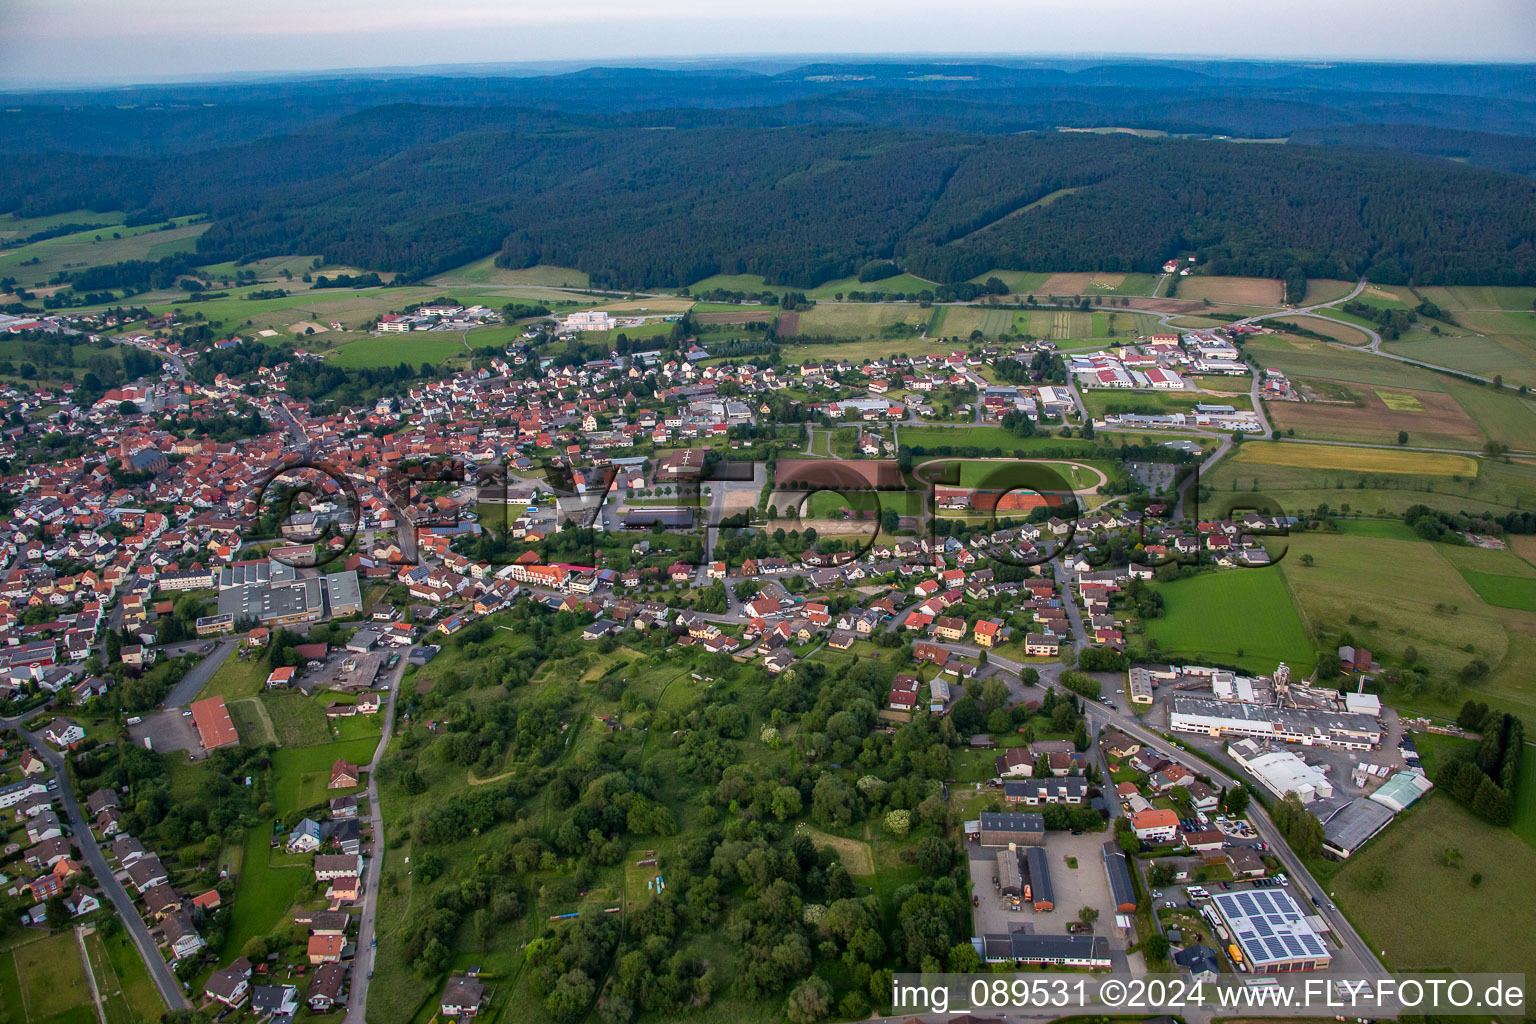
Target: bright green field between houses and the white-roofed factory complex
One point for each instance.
(1242, 618)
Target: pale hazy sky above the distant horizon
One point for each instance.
(154, 41)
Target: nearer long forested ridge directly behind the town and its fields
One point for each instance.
(420, 190)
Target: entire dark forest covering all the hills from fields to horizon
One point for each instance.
(819, 187)
